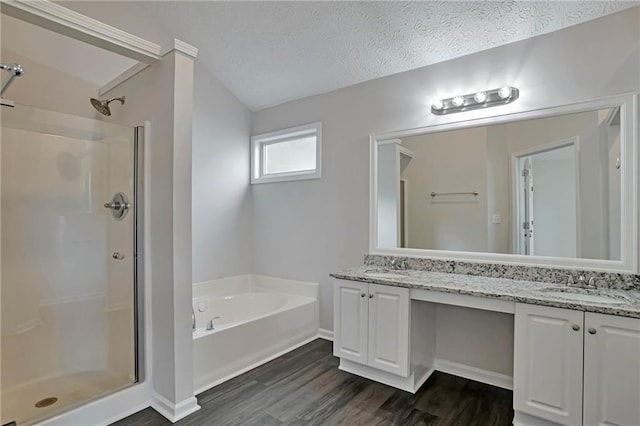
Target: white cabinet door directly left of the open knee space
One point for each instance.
(389, 329)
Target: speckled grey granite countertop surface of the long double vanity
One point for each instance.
(538, 293)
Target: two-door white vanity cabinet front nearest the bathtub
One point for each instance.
(371, 325)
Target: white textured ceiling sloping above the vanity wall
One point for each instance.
(272, 52)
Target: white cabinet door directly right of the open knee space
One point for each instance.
(547, 379)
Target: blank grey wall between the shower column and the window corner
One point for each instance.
(221, 191)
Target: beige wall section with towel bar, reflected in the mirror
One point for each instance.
(448, 162)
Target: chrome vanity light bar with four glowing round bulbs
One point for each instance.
(483, 99)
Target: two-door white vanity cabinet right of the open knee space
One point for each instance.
(574, 368)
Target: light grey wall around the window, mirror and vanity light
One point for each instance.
(305, 230)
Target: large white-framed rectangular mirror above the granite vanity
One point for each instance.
(547, 184)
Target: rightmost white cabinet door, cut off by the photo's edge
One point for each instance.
(611, 370)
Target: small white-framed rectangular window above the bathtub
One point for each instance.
(289, 154)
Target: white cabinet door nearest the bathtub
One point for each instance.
(350, 320)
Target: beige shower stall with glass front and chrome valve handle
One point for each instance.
(70, 225)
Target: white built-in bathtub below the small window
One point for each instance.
(255, 319)
